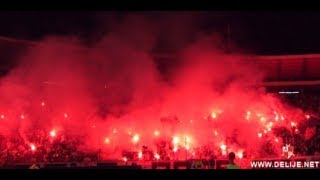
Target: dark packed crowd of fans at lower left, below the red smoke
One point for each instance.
(44, 149)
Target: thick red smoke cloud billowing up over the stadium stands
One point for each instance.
(114, 89)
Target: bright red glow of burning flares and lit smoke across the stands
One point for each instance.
(124, 104)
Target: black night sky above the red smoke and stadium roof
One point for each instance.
(258, 32)
